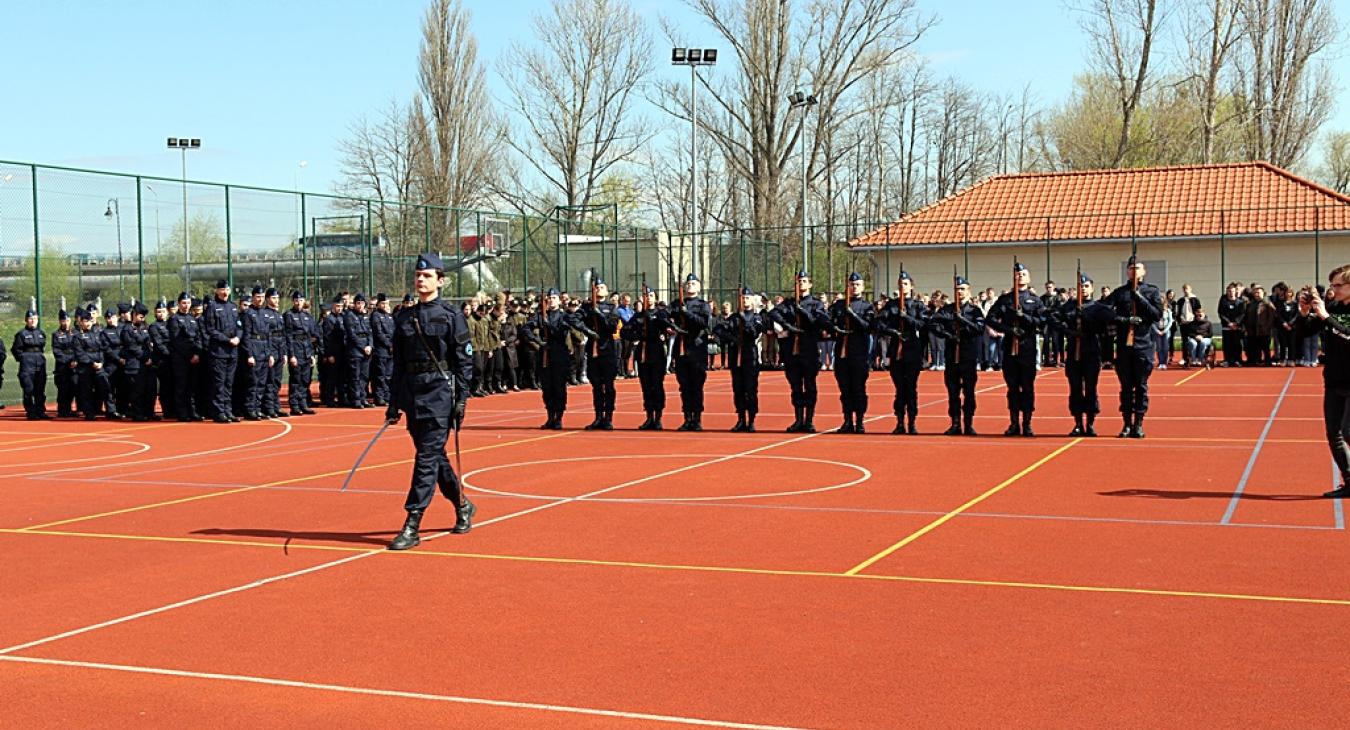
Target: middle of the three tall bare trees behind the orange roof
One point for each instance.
(1212, 29)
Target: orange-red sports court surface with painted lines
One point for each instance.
(165, 575)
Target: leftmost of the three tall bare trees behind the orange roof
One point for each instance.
(1121, 36)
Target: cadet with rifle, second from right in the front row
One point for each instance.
(1083, 326)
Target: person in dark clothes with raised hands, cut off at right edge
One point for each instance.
(1329, 318)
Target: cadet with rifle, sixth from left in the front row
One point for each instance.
(803, 318)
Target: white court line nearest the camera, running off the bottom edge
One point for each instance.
(457, 700)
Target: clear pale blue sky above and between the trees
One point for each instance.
(269, 84)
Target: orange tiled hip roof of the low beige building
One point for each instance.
(1249, 198)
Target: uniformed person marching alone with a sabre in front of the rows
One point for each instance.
(433, 365)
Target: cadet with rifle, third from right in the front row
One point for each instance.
(1017, 315)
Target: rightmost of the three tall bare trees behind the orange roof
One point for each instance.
(1287, 92)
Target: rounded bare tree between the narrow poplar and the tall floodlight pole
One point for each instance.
(573, 92)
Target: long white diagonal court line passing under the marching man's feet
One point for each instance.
(368, 554)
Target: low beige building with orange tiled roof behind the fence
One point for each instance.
(1201, 225)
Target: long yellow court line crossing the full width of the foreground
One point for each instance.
(1070, 588)
